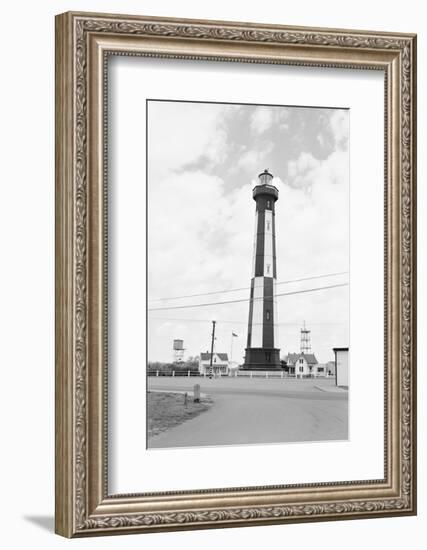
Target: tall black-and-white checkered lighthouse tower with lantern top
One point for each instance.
(262, 352)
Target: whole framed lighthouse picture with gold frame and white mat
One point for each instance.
(235, 274)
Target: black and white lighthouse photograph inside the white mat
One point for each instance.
(248, 274)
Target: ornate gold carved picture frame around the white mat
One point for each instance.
(83, 506)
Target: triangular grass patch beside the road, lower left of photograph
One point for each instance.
(166, 410)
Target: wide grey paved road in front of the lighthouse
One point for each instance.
(253, 411)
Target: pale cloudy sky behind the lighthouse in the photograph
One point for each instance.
(203, 162)
